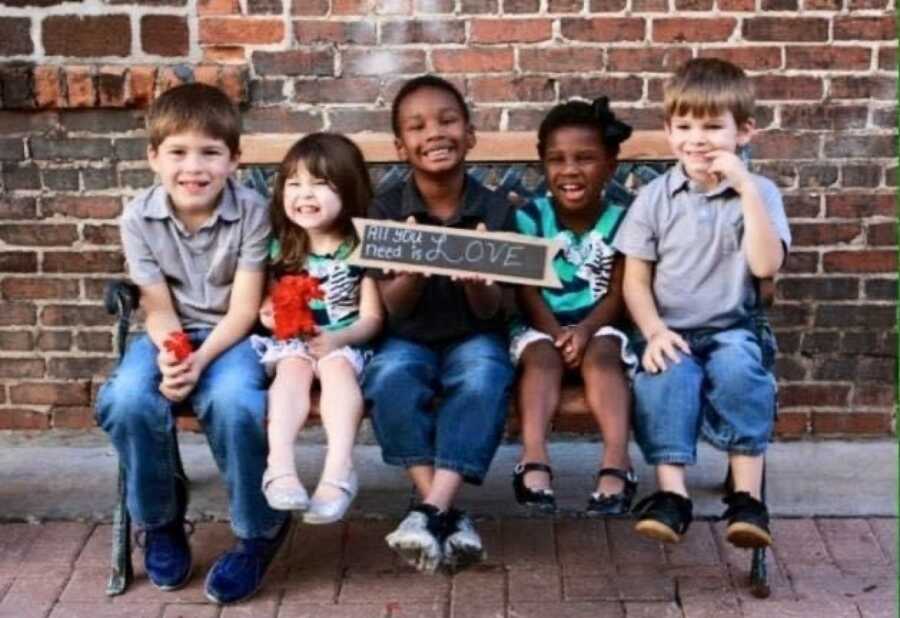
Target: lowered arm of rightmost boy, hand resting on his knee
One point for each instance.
(638, 291)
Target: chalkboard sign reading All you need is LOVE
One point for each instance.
(502, 256)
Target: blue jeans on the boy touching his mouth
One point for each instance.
(724, 390)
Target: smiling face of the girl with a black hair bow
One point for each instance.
(577, 168)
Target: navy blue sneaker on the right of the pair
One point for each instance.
(238, 573)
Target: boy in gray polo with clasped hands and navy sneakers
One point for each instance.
(196, 245)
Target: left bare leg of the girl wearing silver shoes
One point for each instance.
(288, 409)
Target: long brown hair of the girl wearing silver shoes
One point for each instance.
(336, 159)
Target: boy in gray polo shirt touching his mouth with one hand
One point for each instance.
(694, 241)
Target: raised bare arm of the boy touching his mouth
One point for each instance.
(762, 245)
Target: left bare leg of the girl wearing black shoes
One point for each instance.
(538, 398)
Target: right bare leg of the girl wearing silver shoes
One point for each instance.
(341, 408)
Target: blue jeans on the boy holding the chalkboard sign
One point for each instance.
(440, 405)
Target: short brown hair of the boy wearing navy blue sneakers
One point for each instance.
(195, 107)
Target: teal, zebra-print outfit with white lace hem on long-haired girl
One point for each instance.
(339, 308)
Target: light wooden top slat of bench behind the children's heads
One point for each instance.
(492, 146)
